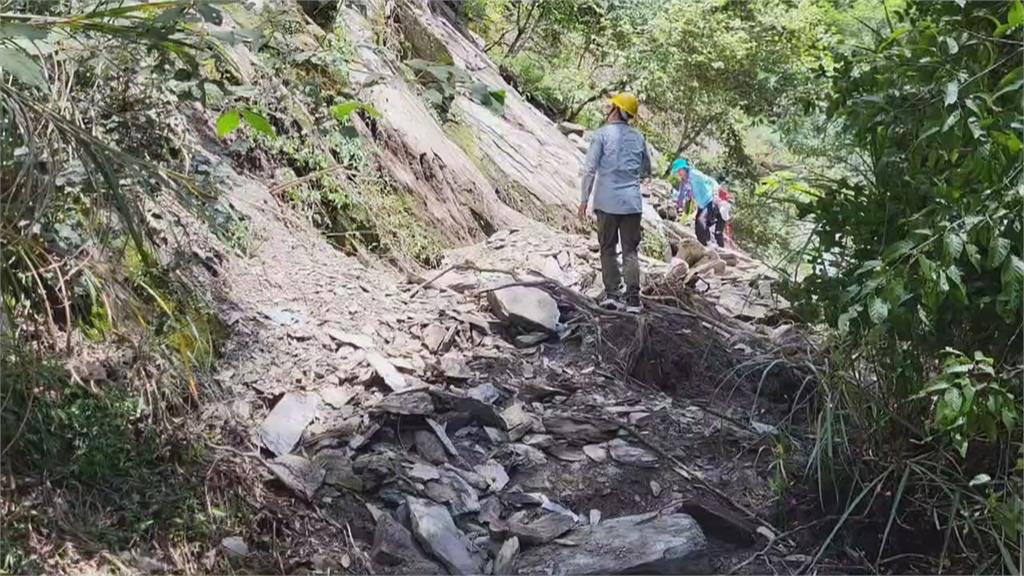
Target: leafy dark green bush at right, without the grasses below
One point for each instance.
(933, 236)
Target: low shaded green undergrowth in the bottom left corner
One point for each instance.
(120, 479)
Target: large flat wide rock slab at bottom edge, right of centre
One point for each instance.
(638, 545)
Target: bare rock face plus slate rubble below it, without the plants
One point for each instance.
(484, 418)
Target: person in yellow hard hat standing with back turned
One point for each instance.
(617, 160)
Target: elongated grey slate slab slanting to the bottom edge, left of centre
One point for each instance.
(435, 529)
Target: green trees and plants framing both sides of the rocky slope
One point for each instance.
(876, 149)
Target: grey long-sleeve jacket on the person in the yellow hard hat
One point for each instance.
(618, 159)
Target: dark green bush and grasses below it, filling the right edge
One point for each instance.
(916, 254)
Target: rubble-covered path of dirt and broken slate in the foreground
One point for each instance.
(369, 415)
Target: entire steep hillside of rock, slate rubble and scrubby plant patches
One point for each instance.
(346, 408)
